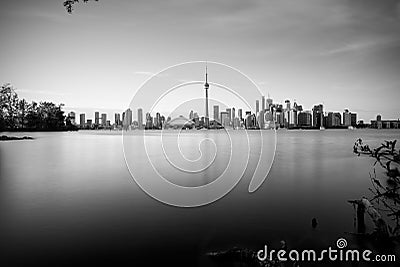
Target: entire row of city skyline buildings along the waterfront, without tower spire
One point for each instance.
(267, 115)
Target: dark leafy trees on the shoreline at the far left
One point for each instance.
(19, 115)
